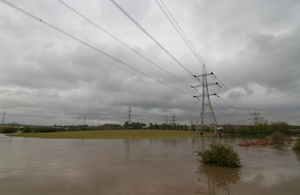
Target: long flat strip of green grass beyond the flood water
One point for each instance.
(114, 134)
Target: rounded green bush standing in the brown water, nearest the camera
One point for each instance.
(221, 155)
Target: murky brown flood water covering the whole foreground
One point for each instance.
(31, 166)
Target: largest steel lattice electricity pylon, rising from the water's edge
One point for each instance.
(205, 100)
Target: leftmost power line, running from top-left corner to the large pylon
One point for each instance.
(90, 46)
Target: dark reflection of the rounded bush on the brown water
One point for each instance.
(213, 179)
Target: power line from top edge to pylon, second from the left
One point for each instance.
(114, 37)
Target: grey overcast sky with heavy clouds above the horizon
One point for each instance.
(47, 78)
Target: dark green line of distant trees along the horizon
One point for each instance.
(268, 129)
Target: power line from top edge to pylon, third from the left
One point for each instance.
(137, 24)
